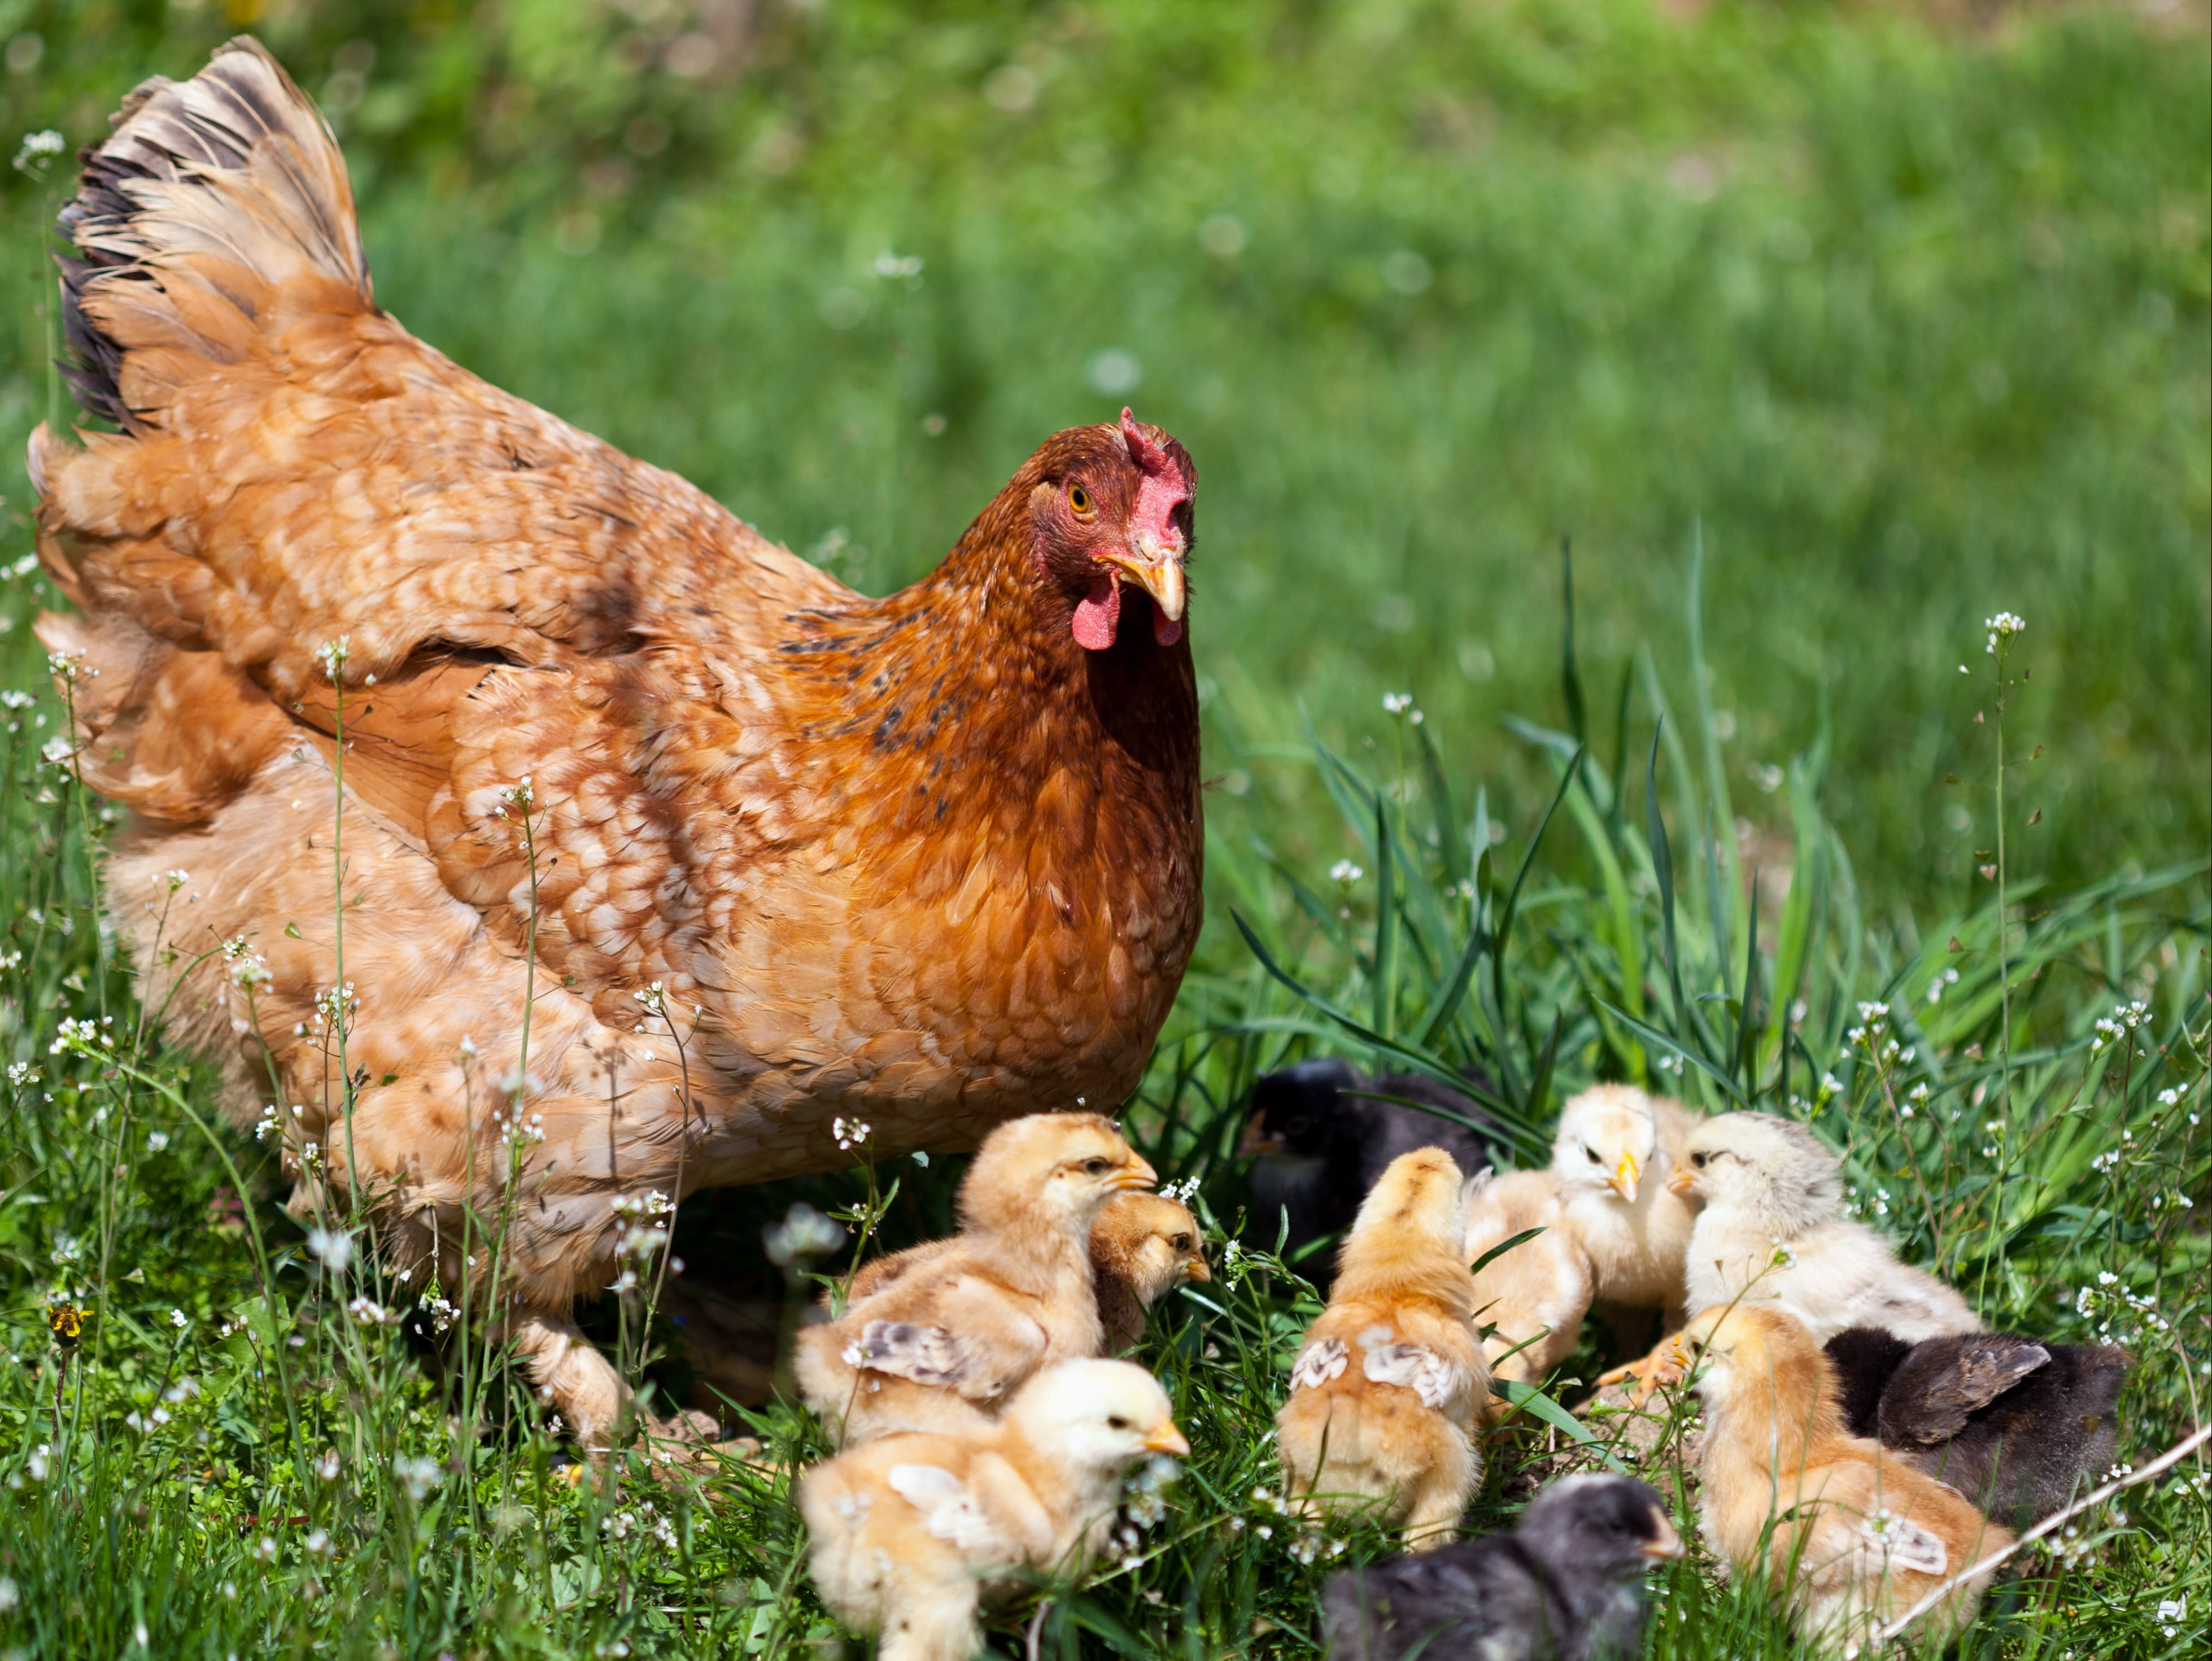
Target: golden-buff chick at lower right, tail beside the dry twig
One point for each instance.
(1846, 1534)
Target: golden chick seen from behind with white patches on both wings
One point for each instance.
(1386, 1394)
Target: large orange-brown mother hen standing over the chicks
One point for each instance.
(660, 850)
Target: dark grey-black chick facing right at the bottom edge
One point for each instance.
(1567, 1585)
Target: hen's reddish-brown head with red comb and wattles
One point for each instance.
(1112, 510)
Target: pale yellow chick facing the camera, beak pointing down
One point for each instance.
(1616, 1151)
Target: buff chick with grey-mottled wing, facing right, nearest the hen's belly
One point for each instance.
(943, 1346)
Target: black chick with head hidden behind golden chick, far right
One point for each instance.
(2012, 1423)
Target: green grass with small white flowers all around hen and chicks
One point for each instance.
(1826, 339)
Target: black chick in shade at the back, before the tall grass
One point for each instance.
(1322, 1149)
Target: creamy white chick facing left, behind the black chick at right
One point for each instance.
(1773, 1233)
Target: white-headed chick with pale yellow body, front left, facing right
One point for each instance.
(915, 1532)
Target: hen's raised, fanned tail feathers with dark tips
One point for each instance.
(207, 202)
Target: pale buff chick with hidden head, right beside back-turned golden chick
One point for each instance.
(1536, 1295)
